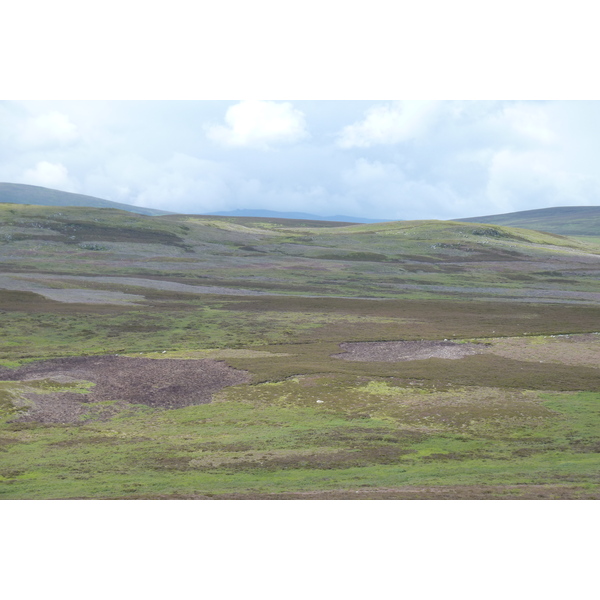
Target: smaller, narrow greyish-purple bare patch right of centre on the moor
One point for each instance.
(403, 351)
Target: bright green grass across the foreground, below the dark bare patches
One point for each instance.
(263, 447)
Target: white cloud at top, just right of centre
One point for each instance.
(389, 124)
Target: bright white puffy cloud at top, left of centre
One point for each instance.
(259, 124)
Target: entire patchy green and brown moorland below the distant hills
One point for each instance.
(272, 303)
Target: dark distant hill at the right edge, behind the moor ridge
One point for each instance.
(565, 220)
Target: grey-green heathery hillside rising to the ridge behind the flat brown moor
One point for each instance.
(422, 258)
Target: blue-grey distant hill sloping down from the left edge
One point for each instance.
(20, 193)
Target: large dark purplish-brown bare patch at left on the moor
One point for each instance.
(163, 383)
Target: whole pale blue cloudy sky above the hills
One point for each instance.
(388, 159)
